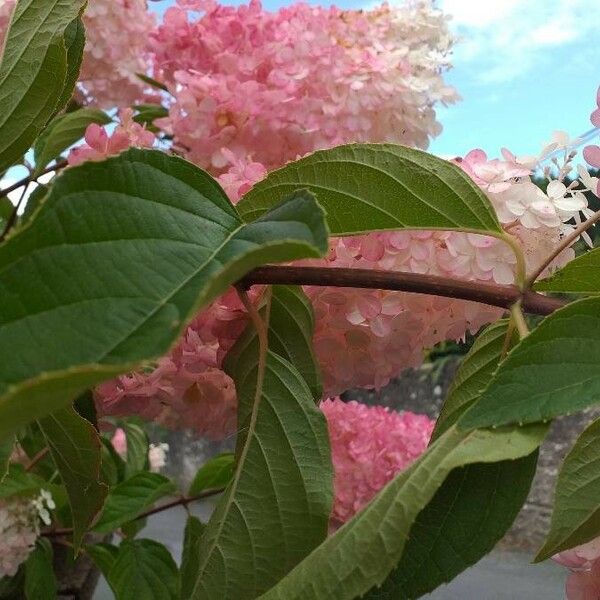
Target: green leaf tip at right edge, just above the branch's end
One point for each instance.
(578, 276)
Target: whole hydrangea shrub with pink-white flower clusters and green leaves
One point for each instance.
(242, 224)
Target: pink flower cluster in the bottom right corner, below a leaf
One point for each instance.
(583, 582)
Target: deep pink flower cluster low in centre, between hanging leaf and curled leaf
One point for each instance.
(369, 445)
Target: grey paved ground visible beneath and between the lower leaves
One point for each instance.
(500, 576)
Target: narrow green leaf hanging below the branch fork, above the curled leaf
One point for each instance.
(474, 374)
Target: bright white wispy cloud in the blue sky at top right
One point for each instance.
(509, 38)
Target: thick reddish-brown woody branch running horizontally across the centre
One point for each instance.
(503, 296)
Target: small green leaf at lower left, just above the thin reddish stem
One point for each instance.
(129, 499)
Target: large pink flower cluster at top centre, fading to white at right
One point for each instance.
(270, 86)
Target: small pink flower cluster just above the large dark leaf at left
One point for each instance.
(99, 145)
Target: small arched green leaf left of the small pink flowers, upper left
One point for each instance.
(63, 132)
